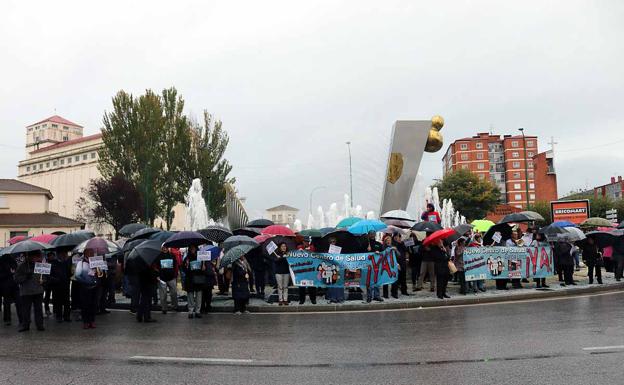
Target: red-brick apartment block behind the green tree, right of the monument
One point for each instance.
(501, 159)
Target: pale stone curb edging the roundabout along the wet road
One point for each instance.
(454, 301)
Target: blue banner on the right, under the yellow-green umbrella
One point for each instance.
(508, 262)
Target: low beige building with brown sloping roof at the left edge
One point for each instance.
(25, 210)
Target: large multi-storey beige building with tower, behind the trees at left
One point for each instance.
(60, 159)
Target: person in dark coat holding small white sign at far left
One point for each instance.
(31, 292)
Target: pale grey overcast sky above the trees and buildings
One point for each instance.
(292, 81)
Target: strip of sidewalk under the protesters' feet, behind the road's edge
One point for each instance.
(423, 298)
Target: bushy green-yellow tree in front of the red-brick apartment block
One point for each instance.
(473, 197)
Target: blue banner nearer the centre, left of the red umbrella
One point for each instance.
(343, 270)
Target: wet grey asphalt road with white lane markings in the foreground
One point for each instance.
(510, 343)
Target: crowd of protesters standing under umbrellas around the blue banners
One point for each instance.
(74, 287)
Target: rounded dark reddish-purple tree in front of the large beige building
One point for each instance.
(115, 202)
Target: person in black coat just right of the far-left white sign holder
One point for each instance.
(59, 281)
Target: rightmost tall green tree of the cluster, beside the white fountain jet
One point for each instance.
(210, 142)
